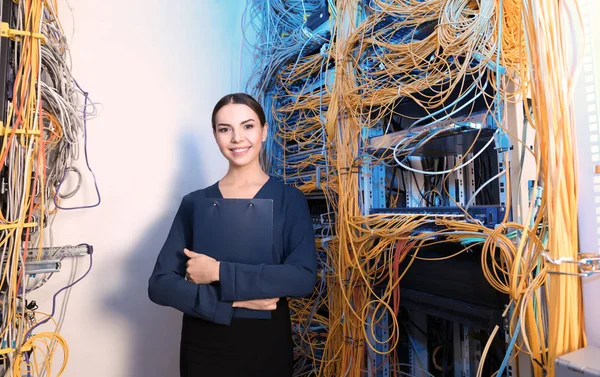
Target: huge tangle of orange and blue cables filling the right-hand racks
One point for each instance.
(453, 61)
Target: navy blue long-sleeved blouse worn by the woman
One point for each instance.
(293, 241)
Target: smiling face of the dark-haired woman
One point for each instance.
(239, 134)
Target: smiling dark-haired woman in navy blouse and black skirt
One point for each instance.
(236, 319)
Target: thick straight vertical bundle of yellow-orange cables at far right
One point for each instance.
(552, 84)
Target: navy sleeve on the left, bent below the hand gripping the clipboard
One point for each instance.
(167, 285)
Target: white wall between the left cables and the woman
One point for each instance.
(158, 68)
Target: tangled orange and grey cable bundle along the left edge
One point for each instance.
(41, 140)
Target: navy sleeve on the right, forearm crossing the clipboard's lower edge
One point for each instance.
(295, 277)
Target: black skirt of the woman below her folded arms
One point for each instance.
(246, 348)
